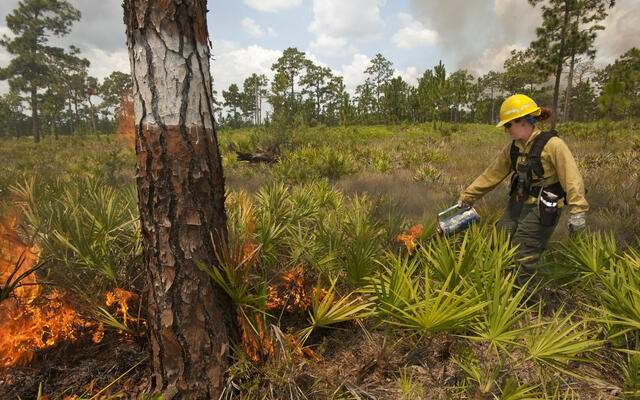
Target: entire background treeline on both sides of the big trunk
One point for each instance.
(51, 91)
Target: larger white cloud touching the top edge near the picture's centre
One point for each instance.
(350, 19)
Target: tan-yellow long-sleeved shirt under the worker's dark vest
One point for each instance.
(557, 161)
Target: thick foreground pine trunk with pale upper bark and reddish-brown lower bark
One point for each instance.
(181, 195)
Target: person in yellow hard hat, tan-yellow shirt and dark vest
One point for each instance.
(544, 177)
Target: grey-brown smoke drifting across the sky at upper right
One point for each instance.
(478, 35)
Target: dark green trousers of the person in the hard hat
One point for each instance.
(529, 234)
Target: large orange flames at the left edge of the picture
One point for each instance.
(30, 320)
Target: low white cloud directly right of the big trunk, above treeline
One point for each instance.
(232, 63)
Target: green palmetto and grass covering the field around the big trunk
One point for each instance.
(365, 310)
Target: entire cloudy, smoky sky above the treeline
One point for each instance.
(249, 35)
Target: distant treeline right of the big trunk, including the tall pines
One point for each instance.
(564, 50)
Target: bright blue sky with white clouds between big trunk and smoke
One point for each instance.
(340, 34)
